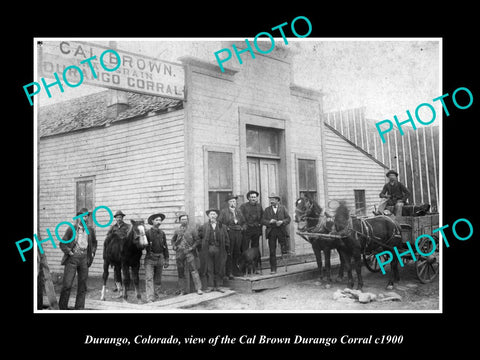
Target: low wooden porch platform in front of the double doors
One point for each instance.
(295, 272)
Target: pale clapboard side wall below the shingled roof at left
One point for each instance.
(137, 166)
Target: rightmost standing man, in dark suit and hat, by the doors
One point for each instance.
(276, 219)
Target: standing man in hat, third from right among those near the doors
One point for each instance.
(233, 219)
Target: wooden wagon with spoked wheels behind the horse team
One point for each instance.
(427, 267)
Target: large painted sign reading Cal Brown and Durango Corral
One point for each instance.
(136, 73)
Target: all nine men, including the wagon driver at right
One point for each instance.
(207, 253)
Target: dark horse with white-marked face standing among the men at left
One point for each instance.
(124, 254)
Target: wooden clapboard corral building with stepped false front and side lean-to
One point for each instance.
(247, 128)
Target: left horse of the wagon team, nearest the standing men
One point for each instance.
(308, 216)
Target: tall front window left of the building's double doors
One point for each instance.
(220, 178)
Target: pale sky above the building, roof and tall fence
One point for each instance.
(386, 76)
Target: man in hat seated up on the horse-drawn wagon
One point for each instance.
(395, 194)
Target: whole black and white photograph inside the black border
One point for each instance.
(233, 175)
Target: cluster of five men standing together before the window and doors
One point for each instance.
(212, 251)
